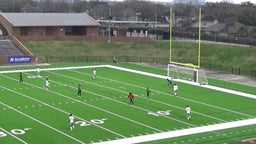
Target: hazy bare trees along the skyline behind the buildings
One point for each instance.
(145, 10)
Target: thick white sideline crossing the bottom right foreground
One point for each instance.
(184, 132)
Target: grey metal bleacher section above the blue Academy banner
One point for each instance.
(7, 48)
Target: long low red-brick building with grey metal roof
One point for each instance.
(48, 26)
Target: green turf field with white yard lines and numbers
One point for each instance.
(31, 114)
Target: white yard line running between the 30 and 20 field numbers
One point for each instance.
(34, 119)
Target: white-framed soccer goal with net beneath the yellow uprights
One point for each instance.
(187, 73)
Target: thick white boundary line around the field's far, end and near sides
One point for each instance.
(171, 134)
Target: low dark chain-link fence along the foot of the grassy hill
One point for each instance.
(149, 60)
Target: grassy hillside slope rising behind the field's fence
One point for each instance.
(212, 54)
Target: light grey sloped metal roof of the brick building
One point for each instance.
(50, 19)
